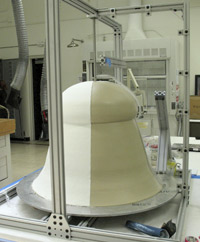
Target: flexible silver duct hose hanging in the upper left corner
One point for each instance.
(22, 43)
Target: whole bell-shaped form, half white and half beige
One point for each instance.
(105, 160)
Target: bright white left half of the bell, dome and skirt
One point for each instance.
(77, 148)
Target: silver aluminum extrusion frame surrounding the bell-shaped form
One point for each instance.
(56, 148)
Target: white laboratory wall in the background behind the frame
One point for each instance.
(74, 24)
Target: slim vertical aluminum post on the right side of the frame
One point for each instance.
(186, 73)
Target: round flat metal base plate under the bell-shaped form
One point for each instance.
(168, 192)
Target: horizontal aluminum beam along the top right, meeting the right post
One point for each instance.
(140, 9)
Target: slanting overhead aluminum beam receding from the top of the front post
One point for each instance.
(93, 12)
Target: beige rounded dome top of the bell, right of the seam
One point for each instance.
(111, 103)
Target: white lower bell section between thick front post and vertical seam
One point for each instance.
(78, 164)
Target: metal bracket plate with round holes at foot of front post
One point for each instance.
(58, 227)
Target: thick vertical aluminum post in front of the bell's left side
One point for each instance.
(55, 107)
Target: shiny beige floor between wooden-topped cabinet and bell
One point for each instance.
(26, 158)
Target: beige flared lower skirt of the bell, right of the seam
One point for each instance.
(120, 170)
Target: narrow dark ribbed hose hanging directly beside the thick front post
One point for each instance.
(43, 86)
